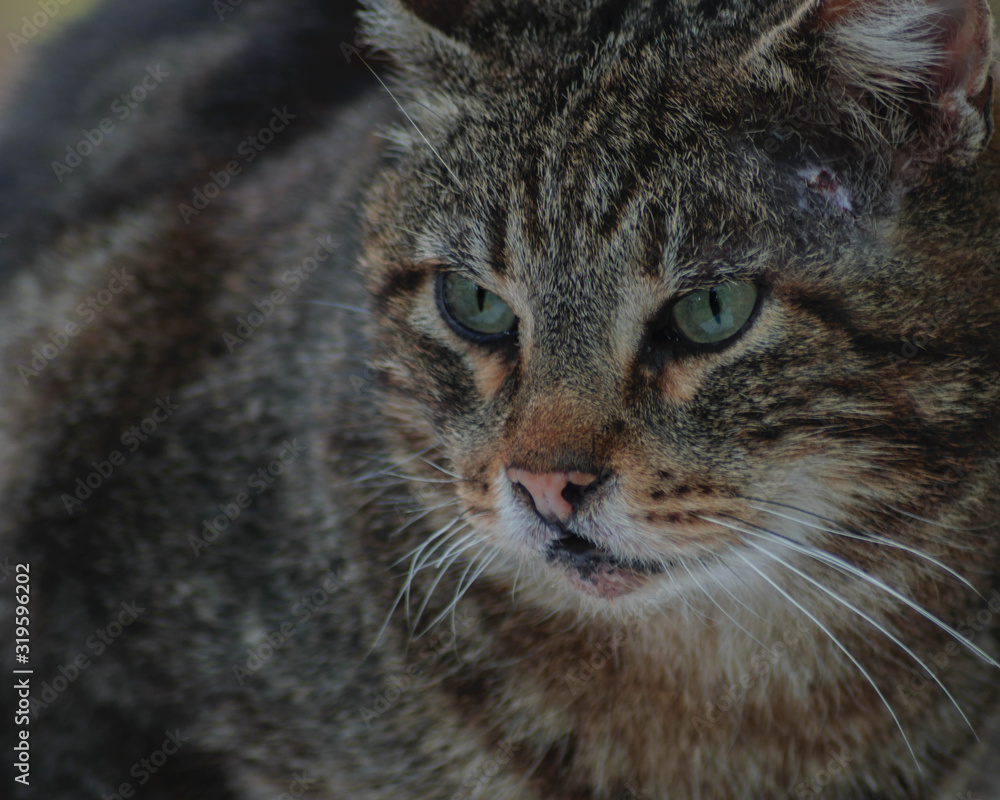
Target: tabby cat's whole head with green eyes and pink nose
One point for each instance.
(679, 294)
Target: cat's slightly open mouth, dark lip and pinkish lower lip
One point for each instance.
(594, 569)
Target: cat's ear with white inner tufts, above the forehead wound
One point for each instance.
(912, 77)
